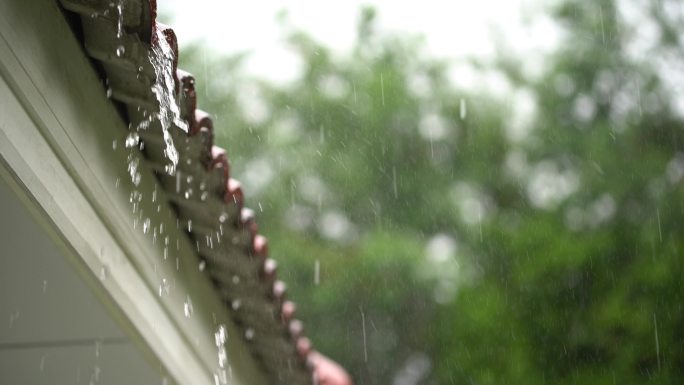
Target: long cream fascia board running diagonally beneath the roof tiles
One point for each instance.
(57, 130)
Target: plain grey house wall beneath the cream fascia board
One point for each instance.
(53, 329)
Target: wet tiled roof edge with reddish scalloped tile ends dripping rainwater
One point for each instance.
(137, 57)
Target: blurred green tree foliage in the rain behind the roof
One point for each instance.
(562, 261)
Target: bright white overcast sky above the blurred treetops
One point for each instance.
(452, 29)
